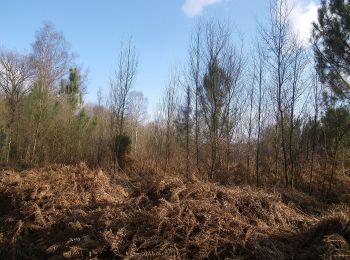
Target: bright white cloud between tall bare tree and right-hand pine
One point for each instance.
(302, 18)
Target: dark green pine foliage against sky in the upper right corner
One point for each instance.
(332, 46)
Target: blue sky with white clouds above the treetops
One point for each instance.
(160, 30)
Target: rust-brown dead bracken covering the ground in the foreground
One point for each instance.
(60, 212)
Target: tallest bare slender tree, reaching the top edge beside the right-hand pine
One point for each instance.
(278, 39)
